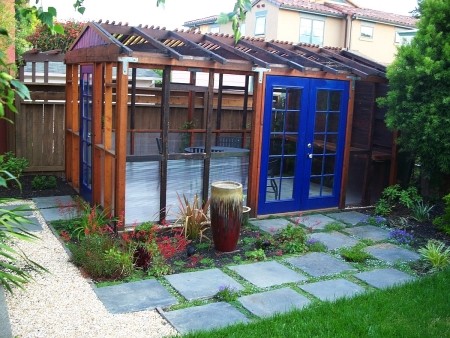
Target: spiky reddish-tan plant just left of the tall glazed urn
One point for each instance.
(193, 217)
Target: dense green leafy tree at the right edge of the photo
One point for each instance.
(418, 101)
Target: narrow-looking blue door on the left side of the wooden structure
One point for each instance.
(86, 132)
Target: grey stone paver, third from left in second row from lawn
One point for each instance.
(264, 274)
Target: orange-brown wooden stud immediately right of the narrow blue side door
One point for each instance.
(97, 105)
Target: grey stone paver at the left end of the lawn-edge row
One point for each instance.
(205, 317)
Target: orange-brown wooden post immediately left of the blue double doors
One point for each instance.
(255, 144)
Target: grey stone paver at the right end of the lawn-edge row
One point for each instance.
(384, 278)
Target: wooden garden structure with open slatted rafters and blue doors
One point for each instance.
(101, 98)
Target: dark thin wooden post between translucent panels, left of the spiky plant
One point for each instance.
(165, 110)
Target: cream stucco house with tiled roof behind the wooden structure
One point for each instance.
(337, 23)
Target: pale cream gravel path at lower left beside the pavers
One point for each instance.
(62, 303)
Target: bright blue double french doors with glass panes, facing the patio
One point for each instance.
(303, 143)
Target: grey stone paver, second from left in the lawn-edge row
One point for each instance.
(271, 302)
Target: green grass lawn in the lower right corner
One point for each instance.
(418, 309)
